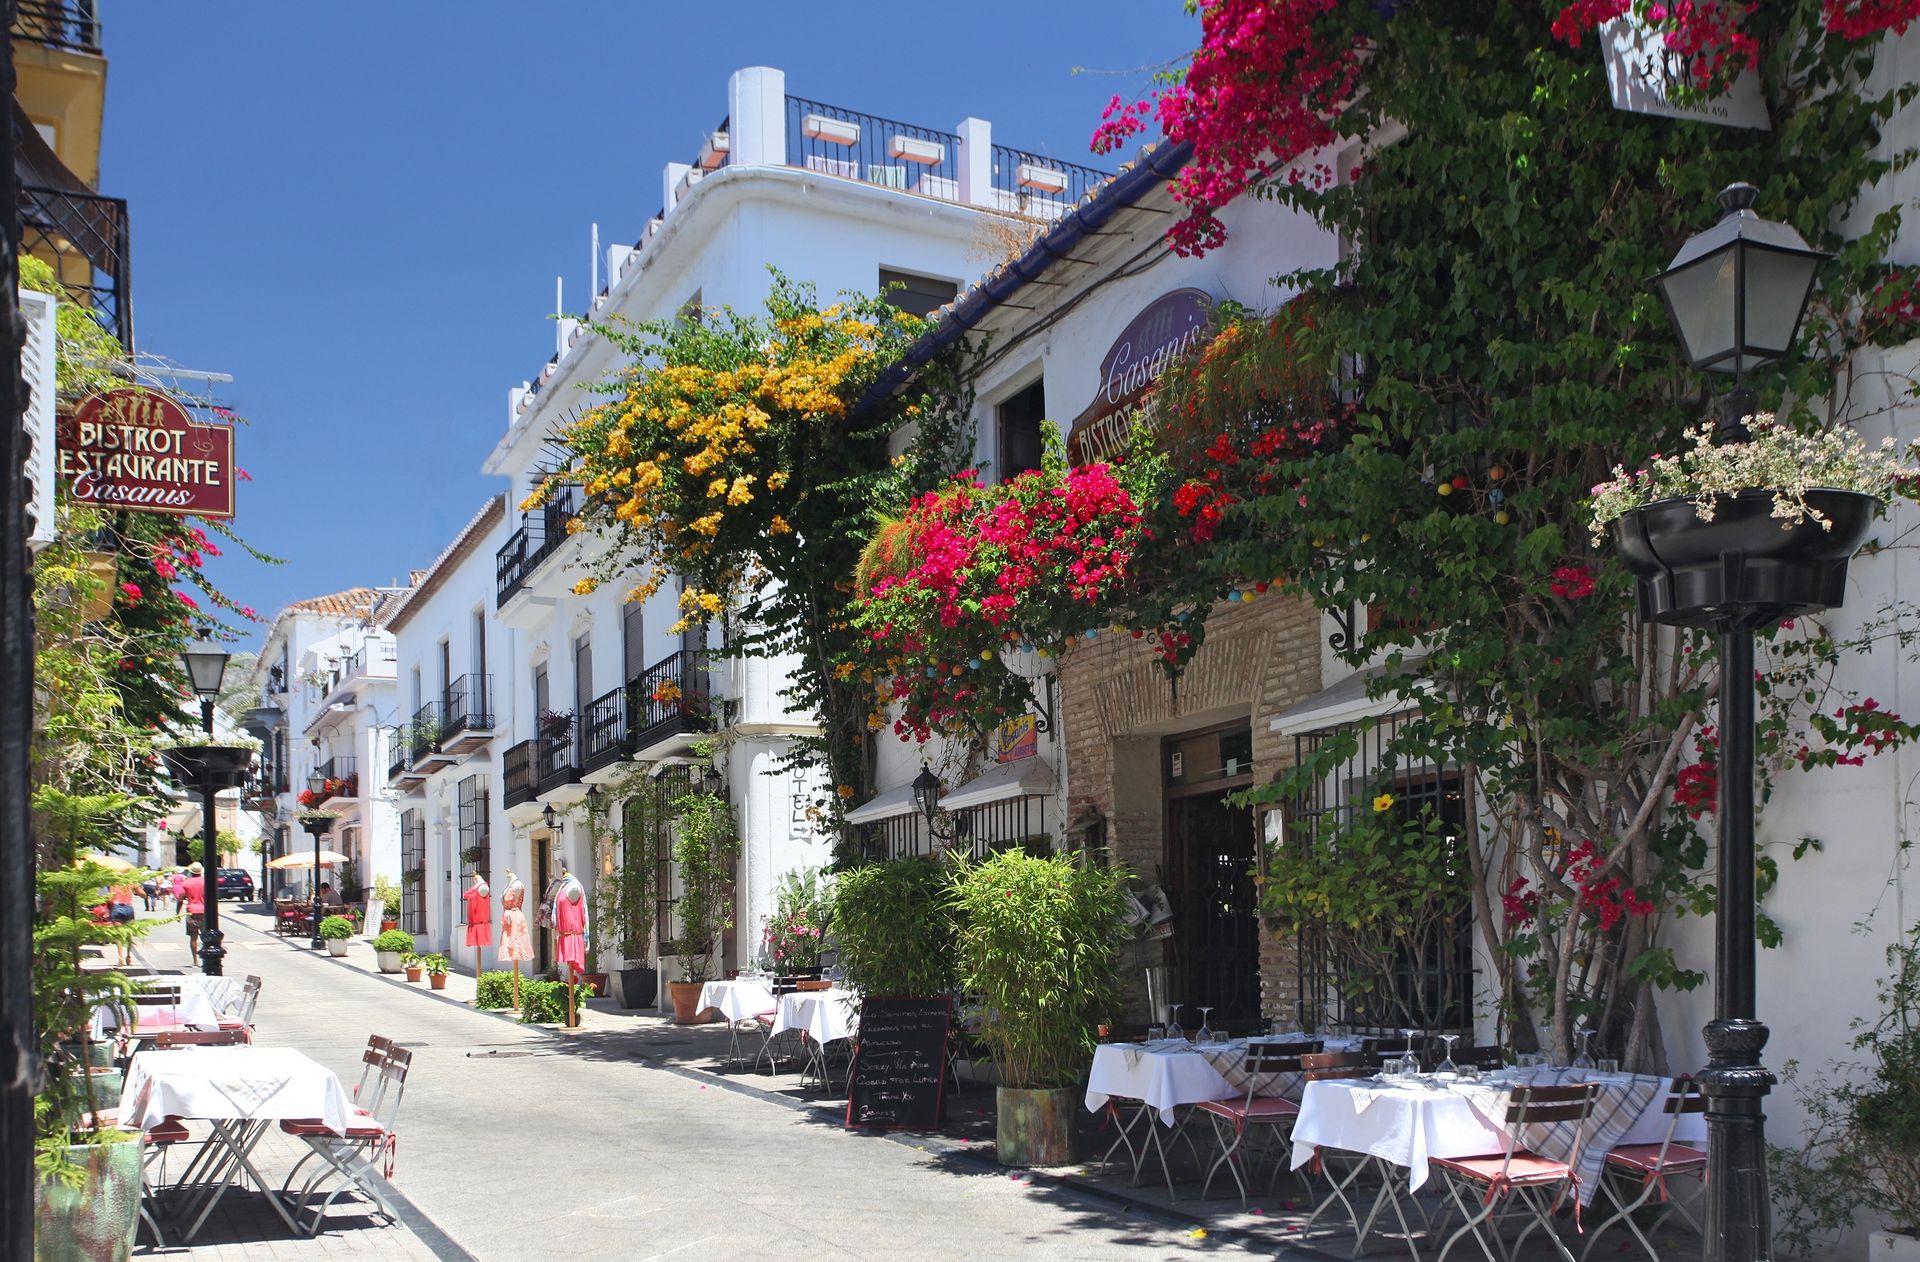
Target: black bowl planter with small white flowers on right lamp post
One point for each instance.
(1790, 506)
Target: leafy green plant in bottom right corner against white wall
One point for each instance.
(1863, 1150)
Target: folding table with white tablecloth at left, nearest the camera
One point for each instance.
(241, 1092)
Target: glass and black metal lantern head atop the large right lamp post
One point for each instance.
(1739, 291)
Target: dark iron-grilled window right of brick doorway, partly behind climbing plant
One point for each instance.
(1428, 981)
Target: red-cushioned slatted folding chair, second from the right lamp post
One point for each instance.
(1518, 1175)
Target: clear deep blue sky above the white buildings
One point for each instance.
(360, 210)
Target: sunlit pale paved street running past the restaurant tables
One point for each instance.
(519, 1146)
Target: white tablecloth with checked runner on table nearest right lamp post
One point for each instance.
(1408, 1127)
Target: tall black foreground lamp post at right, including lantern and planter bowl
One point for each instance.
(1737, 295)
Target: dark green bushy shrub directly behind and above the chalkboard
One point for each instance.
(894, 925)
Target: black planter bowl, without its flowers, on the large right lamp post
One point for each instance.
(1742, 564)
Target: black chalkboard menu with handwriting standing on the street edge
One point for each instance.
(900, 1067)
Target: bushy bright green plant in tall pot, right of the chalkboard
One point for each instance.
(1038, 944)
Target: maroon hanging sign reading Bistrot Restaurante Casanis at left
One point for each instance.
(137, 449)
